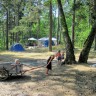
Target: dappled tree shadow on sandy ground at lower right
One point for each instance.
(82, 82)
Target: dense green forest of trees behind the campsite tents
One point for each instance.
(22, 19)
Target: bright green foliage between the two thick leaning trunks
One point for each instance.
(82, 24)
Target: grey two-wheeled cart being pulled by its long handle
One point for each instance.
(8, 69)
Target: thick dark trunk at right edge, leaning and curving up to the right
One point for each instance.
(88, 43)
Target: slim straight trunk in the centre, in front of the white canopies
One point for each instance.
(50, 33)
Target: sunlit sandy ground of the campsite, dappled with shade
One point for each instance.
(65, 80)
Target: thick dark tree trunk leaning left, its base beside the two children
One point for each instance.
(70, 57)
